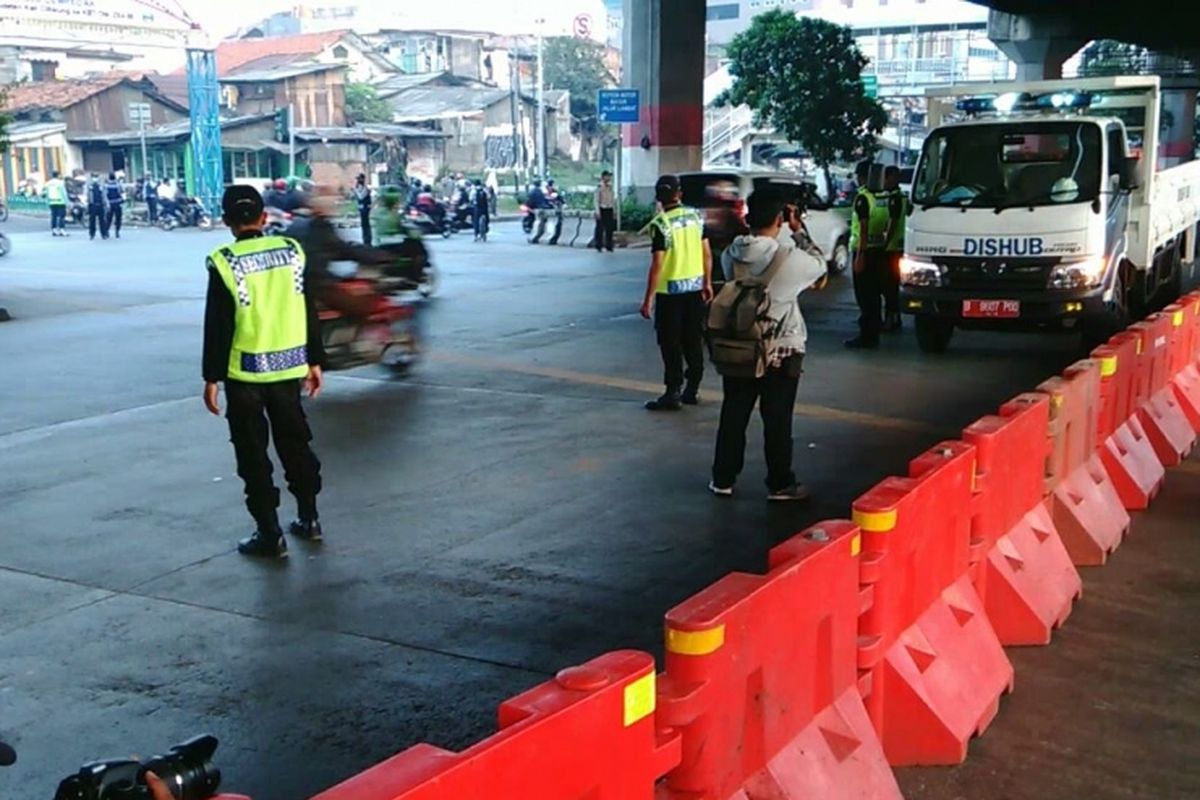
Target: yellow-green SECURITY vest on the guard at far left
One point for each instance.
(266, 278)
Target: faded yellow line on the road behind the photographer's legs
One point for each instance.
(647, 388)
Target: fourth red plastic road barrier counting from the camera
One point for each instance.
(1023, 573)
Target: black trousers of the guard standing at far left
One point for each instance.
(255, 412)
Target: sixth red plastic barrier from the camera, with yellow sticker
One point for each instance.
(1126, 450)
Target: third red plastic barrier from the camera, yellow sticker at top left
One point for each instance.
(933, 670)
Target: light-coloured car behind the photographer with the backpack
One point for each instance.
(722, 195)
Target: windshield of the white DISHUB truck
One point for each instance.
(1007, 166)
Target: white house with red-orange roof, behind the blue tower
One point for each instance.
(334, 49)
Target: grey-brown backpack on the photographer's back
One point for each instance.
(740, 329)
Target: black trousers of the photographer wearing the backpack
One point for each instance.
(776, 395)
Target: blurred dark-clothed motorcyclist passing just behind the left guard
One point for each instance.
(314, 228)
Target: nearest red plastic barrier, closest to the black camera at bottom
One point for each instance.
(589, 735)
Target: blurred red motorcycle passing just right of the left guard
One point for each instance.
(389, 336)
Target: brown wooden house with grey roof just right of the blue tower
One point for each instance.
(317, 92)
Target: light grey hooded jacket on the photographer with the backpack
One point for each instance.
(752, 256)
